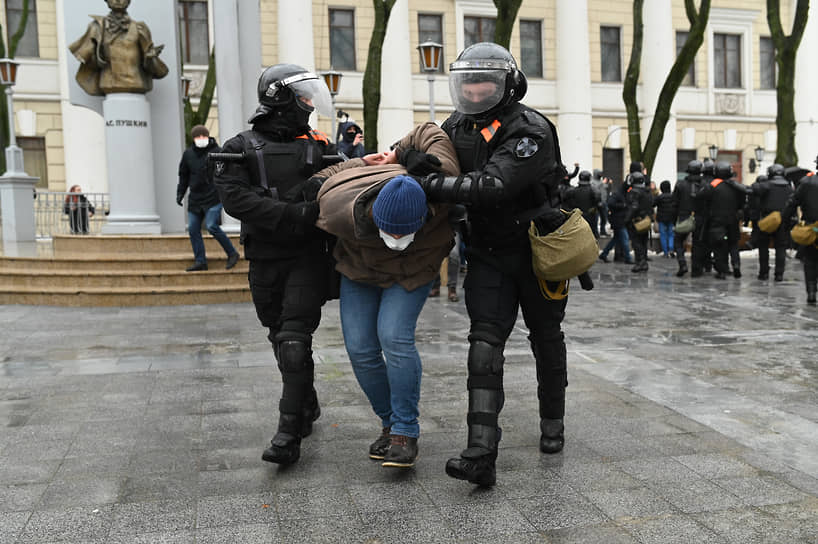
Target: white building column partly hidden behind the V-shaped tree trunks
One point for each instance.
(658, 55)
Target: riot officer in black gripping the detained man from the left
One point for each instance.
(272, 193)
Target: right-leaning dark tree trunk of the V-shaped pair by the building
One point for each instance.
(695, 37)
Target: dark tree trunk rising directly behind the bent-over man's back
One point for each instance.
(372, 73)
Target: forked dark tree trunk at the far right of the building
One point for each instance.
(786, 48)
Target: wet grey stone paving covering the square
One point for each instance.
(691, 417)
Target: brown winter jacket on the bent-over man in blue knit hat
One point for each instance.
(346, 199)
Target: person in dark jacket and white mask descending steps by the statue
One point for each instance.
(203, 204)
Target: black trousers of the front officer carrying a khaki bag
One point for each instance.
(496, 286)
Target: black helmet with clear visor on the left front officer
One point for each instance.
(292, 93)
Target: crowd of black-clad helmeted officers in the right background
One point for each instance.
(707, 208)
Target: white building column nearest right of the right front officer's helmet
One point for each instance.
(574, 83)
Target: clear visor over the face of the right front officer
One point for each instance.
(476, 91)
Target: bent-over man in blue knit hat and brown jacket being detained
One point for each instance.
(389, 249)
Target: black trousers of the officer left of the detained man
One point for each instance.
(288, 295)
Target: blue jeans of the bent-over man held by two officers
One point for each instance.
(379, 334)
